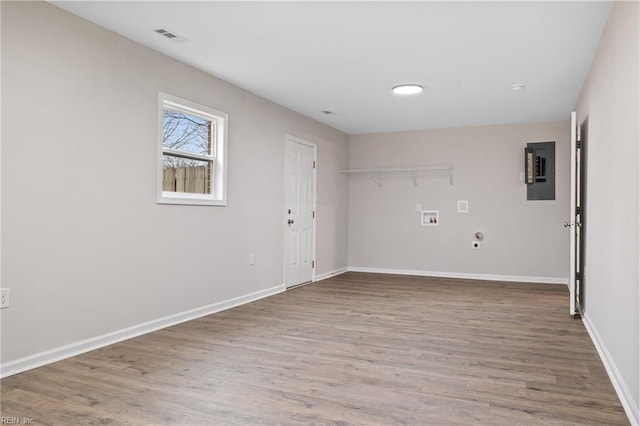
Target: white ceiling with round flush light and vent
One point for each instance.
(346, 56)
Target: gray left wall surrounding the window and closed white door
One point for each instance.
(85, 248)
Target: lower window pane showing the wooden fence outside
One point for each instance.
(186, 175)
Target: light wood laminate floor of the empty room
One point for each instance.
(358, 348)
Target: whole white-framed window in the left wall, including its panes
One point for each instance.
(192, 153)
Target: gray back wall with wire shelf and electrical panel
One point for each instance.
(522, 238)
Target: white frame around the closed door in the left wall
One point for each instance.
(294, 139)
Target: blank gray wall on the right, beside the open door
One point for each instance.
(610, 100)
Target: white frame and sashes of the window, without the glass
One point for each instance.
(218, 176)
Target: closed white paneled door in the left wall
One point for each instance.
(299, 211)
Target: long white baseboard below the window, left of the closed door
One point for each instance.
(47, 357)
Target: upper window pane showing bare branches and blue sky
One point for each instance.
(186, 132)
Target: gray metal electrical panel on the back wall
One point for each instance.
(540, 170)
